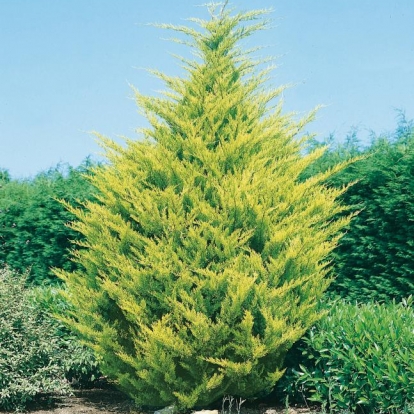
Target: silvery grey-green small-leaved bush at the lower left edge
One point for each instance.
(30, 359)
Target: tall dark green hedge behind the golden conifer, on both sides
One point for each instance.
(374, 260)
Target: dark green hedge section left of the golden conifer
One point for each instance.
(33, 231)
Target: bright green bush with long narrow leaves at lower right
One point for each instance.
(359, 357)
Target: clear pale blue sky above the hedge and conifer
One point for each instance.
(66, 67)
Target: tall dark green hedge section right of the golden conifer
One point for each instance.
(375, 258)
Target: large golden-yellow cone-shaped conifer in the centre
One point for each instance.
(204, 258)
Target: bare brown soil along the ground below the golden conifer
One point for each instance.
(110, 401)
